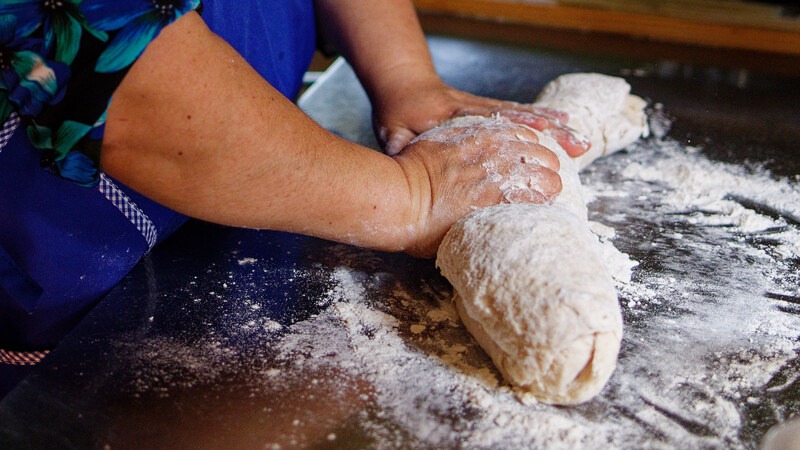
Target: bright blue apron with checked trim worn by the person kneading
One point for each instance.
(63, 246)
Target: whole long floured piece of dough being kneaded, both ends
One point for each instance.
(529, 281)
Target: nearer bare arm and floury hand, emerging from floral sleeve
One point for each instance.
(193, 127)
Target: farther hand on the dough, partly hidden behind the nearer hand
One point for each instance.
(419, 105)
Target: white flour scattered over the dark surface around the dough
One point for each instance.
(709, 356)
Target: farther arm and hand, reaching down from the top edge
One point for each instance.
(384, 42)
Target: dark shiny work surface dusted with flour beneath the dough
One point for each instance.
(183, 352)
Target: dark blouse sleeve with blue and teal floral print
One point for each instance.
(60, 62)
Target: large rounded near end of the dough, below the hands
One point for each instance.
(541, 305)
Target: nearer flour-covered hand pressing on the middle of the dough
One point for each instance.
(471, 163)
